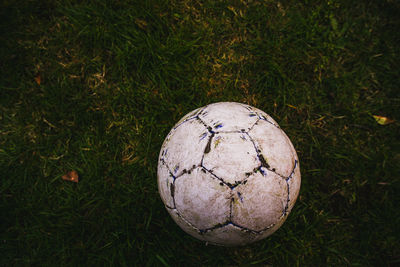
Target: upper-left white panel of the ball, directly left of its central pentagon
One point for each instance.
(184, 147)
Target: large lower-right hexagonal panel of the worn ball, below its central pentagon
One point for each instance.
(260, 202)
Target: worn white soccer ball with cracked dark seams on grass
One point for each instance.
(228, 174)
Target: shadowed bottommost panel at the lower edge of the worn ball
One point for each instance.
(230, 235)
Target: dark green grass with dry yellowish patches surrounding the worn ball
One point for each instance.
(95, 86)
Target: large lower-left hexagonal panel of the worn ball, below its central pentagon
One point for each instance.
(202, 199)
